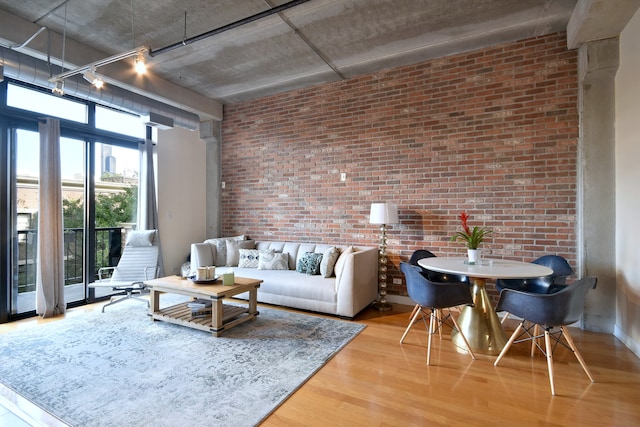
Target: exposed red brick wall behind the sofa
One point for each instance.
(493, 132)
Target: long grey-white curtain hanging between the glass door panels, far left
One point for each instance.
(50, 267)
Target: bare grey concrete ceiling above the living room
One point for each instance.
(317, 41)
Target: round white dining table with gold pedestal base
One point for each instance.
(479, 323)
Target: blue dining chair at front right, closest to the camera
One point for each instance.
(548, 311)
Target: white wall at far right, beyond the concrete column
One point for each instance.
(627, 192)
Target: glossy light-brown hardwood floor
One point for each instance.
(375, 381)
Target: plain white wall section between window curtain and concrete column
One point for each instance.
(181, 195)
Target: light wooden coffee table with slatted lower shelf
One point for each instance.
(223, 316)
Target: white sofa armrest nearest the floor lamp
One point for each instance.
(357, 286)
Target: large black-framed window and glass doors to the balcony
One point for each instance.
(97, 211)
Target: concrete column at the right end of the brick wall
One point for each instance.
(598, 63)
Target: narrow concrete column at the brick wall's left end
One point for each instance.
(211, 134)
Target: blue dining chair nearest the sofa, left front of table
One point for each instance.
(435, 296)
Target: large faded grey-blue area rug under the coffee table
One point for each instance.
(119, 368)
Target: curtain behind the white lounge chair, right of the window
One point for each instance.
(147, 200)
